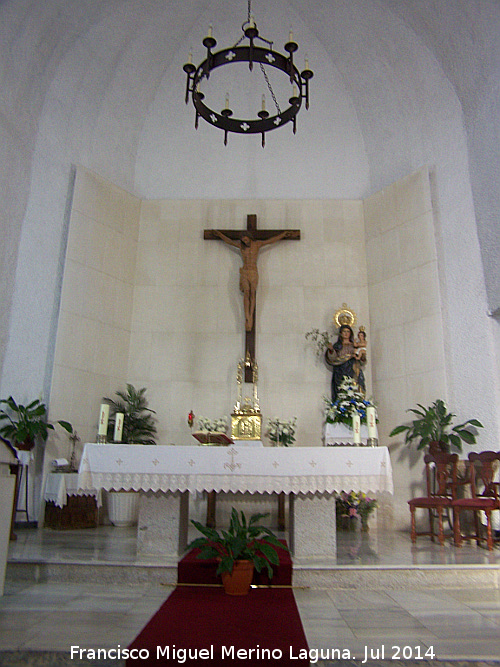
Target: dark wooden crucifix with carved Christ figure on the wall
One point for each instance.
(249, 241)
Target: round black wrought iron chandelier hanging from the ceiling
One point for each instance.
(265, 56)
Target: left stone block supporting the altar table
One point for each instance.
(163, 523)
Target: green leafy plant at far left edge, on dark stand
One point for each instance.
(21, 424)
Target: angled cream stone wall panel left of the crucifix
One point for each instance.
(93, 333)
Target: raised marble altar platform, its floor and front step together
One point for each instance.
(374, 560)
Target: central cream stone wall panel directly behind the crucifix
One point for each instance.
(187, 322)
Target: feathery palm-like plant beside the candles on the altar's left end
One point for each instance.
(138, 423)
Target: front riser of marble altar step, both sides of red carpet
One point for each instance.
(347, 577)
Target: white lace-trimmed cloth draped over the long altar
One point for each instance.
(235, 469)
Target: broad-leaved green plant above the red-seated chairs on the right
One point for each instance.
(434, 425)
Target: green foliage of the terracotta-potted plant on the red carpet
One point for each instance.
(244, 540)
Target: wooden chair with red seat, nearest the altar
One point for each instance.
(441, 479)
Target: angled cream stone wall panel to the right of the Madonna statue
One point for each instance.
(406, 319)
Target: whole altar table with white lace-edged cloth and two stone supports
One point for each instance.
(309, 475)
